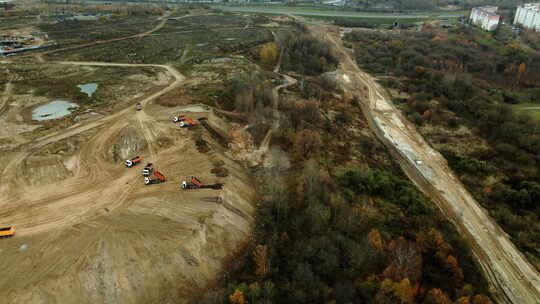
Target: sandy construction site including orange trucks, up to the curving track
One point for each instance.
(115, 198)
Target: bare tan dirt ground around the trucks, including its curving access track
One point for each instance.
(90, 231)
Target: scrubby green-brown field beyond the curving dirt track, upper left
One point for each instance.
(181, 42)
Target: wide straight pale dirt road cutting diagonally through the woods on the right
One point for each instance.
(511, 277)
